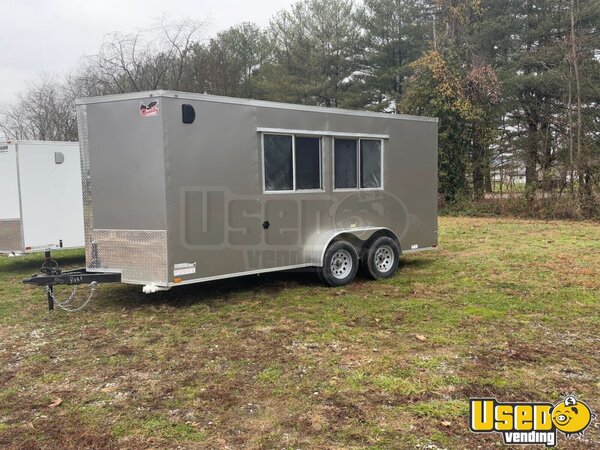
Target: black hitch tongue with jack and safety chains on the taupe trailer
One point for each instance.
(51, 275)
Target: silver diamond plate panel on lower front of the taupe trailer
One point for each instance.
(140, 256)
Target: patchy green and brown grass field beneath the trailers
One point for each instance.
(505, 308)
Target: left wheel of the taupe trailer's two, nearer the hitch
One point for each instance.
(340, 264)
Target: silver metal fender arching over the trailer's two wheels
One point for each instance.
(356, 236)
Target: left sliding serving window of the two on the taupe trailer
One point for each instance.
(292, 163)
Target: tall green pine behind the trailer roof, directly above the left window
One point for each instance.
(315, 47)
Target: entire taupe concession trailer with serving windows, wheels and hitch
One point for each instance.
(183, 188)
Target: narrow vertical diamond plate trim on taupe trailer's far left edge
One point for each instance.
(86, 184)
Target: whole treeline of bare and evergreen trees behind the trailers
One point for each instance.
(515, 83)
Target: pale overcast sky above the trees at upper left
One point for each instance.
(50, 36)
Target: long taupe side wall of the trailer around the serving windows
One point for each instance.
(216, 200)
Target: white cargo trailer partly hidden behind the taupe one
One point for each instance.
(40, 207)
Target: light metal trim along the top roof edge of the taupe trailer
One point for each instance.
(247, 102)
